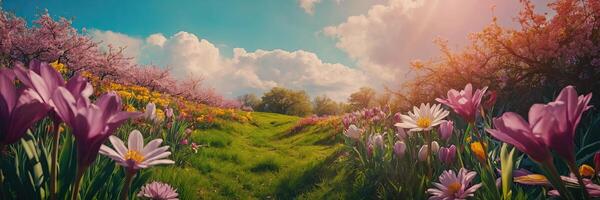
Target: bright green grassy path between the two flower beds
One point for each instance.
(256, 161)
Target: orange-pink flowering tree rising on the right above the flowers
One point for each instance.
(547, 52)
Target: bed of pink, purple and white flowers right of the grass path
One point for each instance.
(425, 153)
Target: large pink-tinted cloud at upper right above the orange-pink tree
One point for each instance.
(385, 39)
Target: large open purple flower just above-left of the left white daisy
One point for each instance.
(91, 124)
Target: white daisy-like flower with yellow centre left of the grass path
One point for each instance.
(136, 156)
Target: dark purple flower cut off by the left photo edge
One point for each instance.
(19, 108)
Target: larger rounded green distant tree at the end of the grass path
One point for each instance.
(286, 101)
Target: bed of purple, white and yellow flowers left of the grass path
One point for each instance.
(53, 131)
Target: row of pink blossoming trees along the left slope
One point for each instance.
(49, 40)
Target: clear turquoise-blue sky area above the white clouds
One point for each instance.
(256, 24)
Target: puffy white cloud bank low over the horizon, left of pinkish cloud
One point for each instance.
(245, 72)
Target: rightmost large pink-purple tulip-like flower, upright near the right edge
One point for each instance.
(567, 108)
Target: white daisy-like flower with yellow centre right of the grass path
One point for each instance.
(424, 118)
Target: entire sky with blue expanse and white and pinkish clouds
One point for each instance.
(326, 47)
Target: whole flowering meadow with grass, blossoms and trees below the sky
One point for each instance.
(512, 116)
